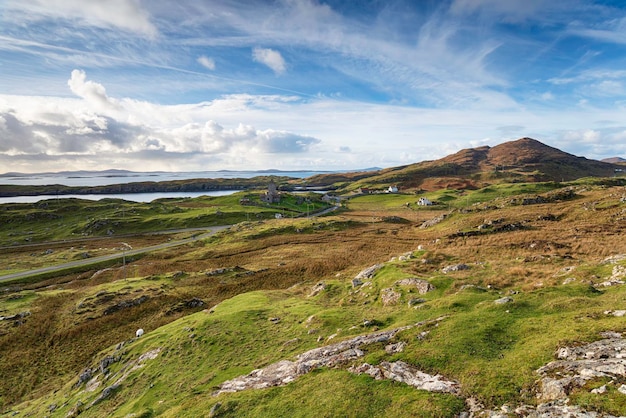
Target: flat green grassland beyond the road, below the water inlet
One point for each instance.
(53, 220)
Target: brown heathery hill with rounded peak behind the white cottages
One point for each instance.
(525, 159)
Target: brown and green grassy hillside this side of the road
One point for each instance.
(271, 290)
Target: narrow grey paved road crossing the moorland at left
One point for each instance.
(128, 253)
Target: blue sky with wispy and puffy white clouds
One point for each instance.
(195, 85)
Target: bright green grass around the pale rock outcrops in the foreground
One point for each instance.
(491, 349)
